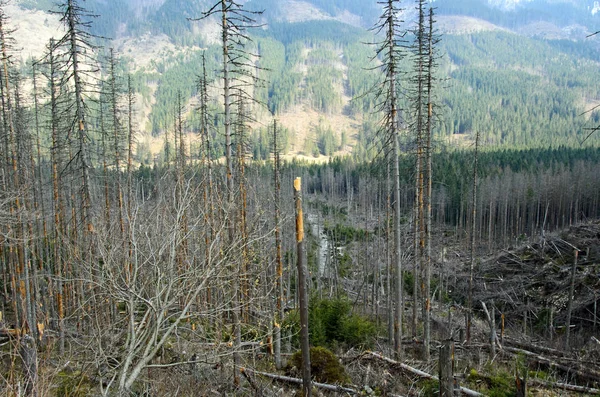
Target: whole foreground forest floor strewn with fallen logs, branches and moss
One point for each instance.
(526, 287)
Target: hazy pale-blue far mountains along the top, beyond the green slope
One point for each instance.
(132, 17)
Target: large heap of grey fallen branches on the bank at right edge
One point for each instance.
(534, 280)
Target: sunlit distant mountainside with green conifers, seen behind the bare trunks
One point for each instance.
(516, 91)
